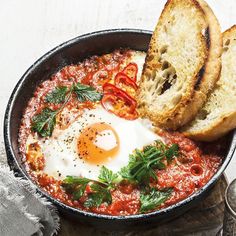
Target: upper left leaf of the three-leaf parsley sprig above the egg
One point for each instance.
(57, 96)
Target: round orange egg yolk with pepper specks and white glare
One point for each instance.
(98, 143)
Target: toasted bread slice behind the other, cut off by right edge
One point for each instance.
(218, 115)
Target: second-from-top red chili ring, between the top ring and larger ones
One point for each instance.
(124, 82)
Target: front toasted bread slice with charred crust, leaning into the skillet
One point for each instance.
(182, 65)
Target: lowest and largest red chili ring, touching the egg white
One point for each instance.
(118, 106)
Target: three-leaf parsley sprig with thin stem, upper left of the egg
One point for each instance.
(44, 122)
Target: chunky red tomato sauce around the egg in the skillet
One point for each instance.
(186, 174)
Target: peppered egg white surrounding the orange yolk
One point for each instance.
(60, 151)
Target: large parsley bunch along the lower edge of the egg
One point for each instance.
(142, 167)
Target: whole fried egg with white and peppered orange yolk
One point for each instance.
(97, 138)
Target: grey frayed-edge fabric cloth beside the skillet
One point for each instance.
(23, 212)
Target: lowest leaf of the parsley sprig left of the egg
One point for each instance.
(44, 122)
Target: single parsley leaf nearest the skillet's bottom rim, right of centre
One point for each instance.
(154, 198)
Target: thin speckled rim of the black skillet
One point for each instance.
(13, 161)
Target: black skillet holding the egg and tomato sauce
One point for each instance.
(71, 52)
